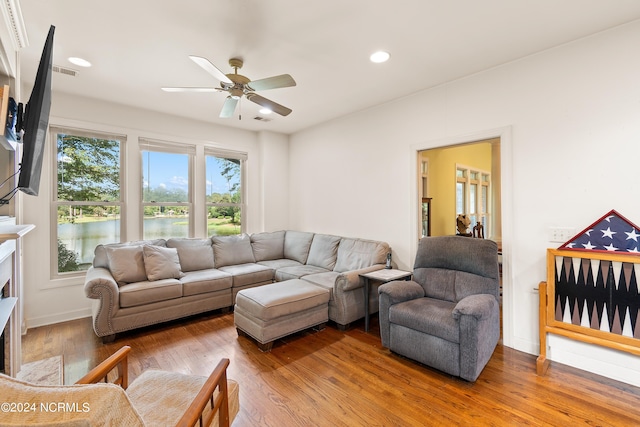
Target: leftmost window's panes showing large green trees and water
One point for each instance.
(87, 197)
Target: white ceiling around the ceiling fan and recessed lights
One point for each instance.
(138, 46)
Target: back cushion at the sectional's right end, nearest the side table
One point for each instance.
(354, 254)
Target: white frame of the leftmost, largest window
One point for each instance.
(54, 131)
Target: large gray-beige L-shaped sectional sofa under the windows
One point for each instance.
(141, 283)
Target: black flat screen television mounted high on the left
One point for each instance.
(36, 122)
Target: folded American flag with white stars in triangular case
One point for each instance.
(611, 233)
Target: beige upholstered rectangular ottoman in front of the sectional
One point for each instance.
(266, 313)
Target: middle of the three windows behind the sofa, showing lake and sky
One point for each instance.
(166, 190)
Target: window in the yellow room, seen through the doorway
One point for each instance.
(472, 195)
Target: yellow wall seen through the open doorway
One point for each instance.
(442, 178)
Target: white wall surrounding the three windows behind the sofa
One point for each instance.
(49, 301)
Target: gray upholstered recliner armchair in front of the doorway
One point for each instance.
(448, 316)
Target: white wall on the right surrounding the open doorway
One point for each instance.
(569, 118)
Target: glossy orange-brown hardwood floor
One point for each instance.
(335, 378)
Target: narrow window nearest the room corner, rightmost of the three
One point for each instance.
(224, 190)
